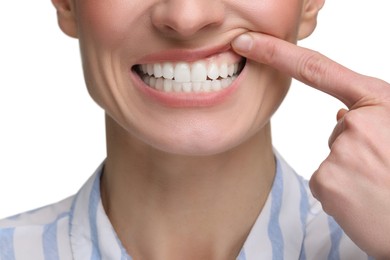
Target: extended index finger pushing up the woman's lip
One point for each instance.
(307, 66)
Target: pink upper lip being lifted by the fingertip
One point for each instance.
(186, 55)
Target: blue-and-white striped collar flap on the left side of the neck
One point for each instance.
(91, 233)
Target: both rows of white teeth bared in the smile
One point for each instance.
(188, 77)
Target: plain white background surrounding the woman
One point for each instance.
(52, 134)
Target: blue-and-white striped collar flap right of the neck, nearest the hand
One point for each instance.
(278, 232)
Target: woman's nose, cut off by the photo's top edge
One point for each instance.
(185, 18)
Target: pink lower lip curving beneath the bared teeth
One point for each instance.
(187, 100)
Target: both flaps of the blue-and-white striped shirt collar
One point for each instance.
(277, 233)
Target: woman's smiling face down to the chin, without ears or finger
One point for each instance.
(165, 72)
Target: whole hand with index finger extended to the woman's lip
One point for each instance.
(353, 183)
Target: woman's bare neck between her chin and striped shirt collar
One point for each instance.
(166, 206)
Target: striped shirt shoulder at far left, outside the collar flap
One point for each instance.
(28, 235)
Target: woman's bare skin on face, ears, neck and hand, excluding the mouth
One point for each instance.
(171, 179)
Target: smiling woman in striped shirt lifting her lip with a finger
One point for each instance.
(190, 171)
